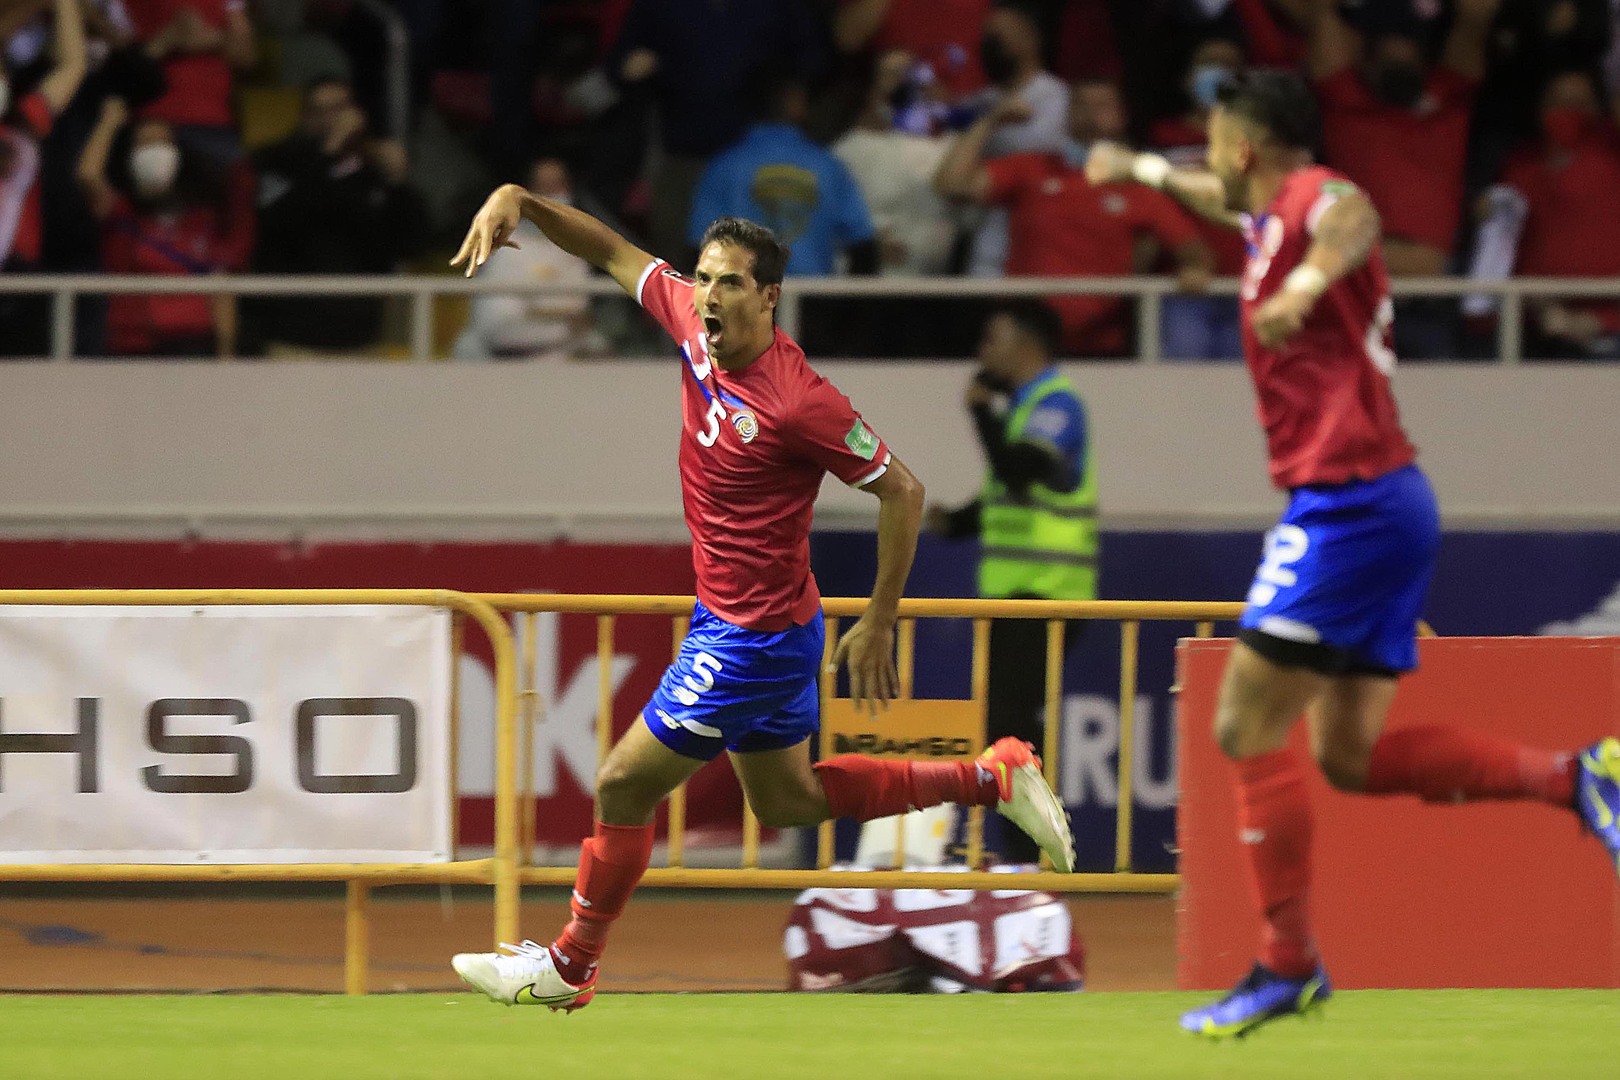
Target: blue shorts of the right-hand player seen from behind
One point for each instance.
(1344, 577)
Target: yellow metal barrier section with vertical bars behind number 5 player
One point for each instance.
(749, 875)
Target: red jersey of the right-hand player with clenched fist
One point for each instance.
(1324, 394)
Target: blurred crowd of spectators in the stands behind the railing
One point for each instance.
(877, 137)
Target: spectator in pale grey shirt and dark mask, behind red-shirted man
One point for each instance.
(1010, 53)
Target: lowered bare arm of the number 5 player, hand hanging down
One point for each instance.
(869, 647)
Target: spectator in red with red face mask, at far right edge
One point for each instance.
(1561, 195)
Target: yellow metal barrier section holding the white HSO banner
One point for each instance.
(500, 872)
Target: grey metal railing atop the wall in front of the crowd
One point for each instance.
(422, 292)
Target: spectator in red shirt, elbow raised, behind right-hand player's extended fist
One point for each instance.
(1064, 226)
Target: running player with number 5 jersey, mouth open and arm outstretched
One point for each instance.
(761, 430)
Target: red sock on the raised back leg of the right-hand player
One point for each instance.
(1451, 765)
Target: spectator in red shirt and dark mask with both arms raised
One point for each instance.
(1399, 127)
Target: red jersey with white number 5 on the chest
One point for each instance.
(754, 449)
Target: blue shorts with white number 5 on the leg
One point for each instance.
(738, 689)
